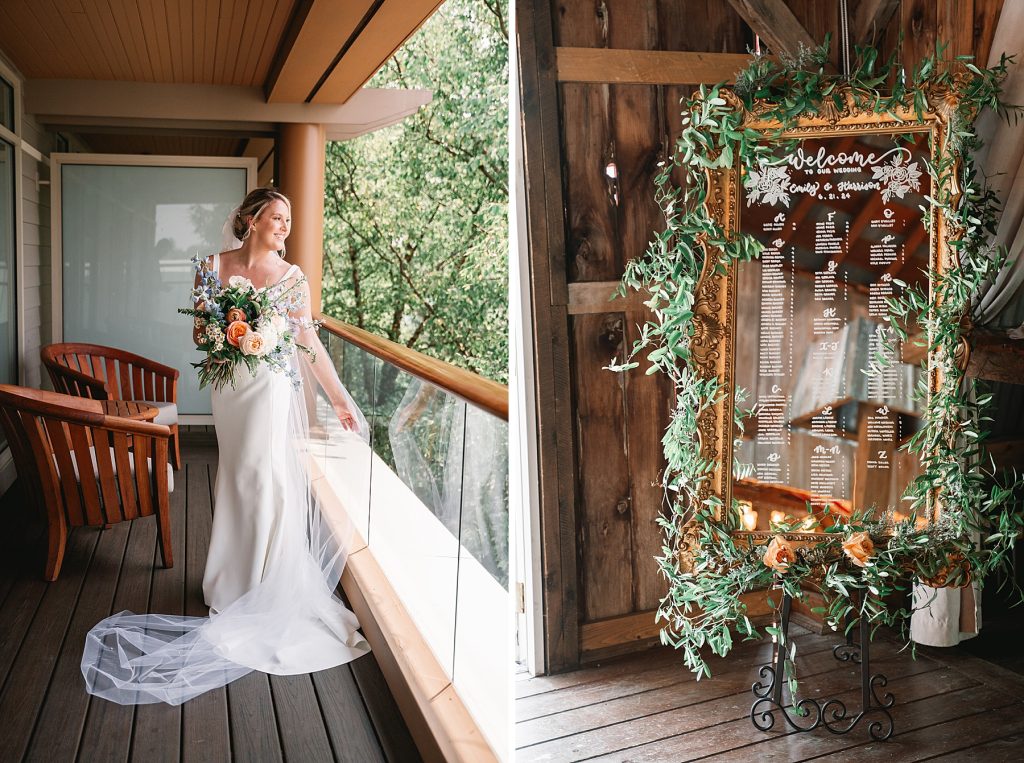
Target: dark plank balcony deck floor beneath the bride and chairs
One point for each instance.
(345, 714)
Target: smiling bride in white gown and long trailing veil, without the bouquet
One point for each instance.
(275, 557)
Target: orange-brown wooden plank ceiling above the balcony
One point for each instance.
(294, 52)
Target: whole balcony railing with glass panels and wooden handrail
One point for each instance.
(430, 500)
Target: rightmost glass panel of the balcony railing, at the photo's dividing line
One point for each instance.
(483, 631)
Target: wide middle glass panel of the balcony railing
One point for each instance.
(416, 493)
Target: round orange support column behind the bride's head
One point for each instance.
(302, 159)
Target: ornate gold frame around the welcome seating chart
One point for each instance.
(713, 344)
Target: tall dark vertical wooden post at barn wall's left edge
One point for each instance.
(552, 349)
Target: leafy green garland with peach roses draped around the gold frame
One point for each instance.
(865, 560)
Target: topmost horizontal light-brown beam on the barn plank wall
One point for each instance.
(647, 67)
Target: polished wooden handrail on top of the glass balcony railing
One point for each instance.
(476, 390)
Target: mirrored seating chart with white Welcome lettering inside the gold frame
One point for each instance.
(842, 225)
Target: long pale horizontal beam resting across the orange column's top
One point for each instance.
(240, 111)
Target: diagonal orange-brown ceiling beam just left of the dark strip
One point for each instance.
(318, 33)
